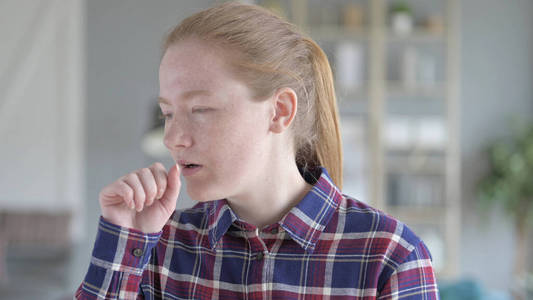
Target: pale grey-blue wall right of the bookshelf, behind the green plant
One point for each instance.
(497, 77)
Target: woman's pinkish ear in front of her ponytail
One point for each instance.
(285, 102)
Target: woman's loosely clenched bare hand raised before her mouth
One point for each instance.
(143, 200)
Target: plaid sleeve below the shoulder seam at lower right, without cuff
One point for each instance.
(413, 279)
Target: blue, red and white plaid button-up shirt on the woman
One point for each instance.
(329, 246)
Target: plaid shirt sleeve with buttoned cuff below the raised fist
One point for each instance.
(119, 258)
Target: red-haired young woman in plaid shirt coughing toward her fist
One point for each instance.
(251, 120)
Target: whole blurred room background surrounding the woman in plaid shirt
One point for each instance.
(436, 103)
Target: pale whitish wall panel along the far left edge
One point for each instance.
(42, 98)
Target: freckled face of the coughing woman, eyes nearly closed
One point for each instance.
(211, 121)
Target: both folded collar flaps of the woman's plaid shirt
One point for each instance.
(303, 223)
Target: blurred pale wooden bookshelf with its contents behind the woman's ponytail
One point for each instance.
(398, 92)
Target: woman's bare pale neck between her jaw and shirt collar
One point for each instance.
(272, 197)
